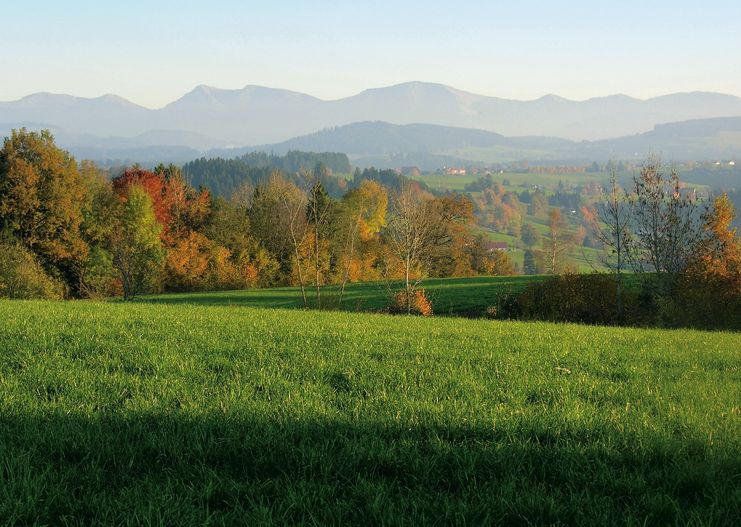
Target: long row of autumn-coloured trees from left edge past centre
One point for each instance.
(71, 230)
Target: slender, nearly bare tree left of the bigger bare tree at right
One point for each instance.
(612, 227)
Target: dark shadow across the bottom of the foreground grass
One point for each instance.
(177, 469)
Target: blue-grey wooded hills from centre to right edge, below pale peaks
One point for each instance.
(430, 146)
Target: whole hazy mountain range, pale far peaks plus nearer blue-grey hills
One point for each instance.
(383, 121)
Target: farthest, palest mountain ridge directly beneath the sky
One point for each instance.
(259, 115)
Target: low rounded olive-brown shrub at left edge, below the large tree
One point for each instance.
(22, 276)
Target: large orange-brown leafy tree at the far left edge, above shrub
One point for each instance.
(41, 196)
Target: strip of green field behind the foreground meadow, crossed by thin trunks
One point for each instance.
(468, 296)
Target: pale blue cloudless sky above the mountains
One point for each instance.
(152, 52)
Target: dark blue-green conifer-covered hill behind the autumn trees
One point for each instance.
(224, 176)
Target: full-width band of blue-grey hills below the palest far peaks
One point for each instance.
(428, 146)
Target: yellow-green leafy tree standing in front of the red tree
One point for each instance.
(137, 248)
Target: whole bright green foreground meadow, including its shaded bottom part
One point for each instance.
(178, 415)
